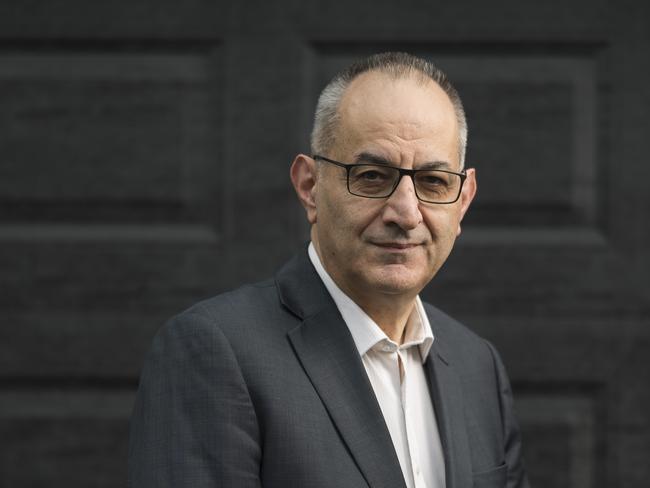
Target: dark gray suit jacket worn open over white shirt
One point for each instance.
(263, 386)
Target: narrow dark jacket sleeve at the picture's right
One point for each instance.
(517, 477)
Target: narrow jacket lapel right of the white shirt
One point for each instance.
(447, 397)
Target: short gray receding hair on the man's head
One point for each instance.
(395, 64)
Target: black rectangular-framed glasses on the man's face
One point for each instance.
(381, 180)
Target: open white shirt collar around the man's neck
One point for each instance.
(365, 331)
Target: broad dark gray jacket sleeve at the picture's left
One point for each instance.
(193, 423)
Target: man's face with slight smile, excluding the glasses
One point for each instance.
(397, 244)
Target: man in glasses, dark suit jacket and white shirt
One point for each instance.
(334, 373)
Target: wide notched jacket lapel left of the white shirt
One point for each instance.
(327, 352)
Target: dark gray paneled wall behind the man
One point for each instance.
(144, 155)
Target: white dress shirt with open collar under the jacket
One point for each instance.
(397, 376)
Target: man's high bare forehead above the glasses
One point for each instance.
(398, 115)
